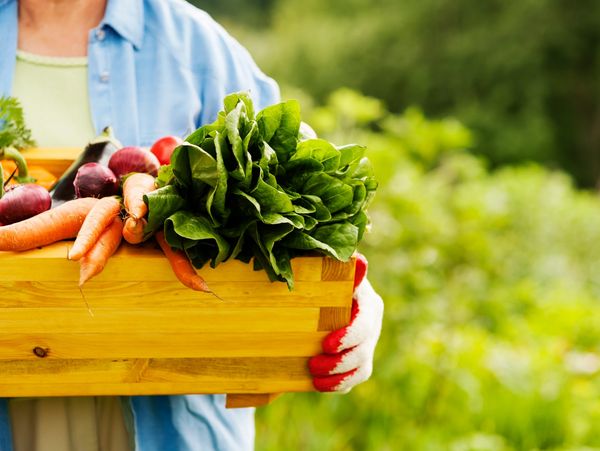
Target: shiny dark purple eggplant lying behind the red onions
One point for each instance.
(99, 150)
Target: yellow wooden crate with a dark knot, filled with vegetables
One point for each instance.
(135, 330)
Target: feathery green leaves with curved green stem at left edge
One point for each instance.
(14, 135)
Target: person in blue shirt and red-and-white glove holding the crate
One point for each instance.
(148, 68)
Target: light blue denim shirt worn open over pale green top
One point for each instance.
(159, 67)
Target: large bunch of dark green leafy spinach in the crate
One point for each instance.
(247, 187)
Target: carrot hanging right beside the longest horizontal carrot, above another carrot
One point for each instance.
(95, 222)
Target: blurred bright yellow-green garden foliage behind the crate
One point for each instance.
(491, 337)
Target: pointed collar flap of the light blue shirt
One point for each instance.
(126, 17)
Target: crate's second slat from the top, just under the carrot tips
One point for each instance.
(150, 294)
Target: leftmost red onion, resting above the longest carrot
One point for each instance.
(23, 201)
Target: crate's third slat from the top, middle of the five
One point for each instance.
(156, 321)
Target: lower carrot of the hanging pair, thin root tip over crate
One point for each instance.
(93, 262)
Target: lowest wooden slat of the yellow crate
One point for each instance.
(113, 377)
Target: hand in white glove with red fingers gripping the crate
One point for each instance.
(348, 352)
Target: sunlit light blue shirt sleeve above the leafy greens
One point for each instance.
(232, 69)
